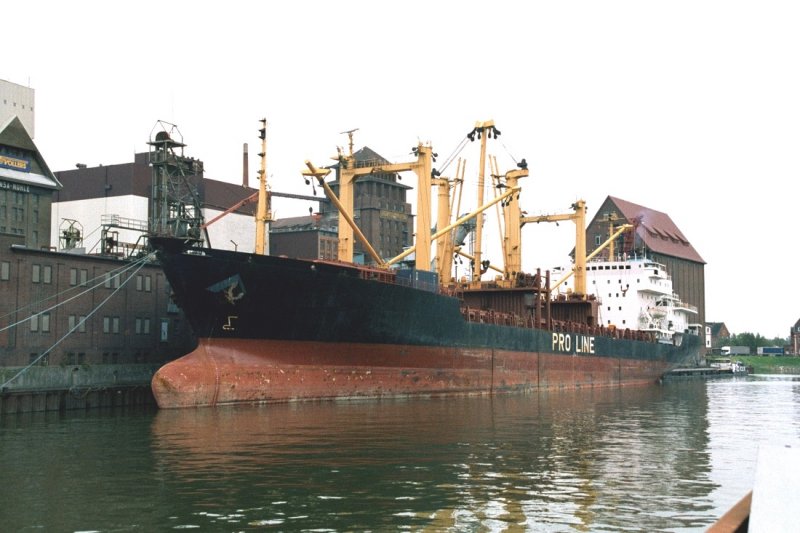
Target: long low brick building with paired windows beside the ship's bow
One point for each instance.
(126, 319)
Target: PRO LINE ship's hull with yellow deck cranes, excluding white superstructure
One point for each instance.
(277, 329)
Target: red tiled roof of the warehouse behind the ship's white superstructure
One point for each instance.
(657, 230)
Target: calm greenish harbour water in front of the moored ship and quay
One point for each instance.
(661, 458)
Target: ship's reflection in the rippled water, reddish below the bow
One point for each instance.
(597, 460)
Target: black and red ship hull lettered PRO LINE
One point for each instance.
(279, 329)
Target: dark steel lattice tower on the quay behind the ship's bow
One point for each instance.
(175, 209)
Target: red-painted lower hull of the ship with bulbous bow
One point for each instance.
(231, 371)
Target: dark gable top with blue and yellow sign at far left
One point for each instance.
(34, 172)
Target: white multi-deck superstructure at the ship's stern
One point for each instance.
(637, 294)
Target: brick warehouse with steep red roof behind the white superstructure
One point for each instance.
(656, 235)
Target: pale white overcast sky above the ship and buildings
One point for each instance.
(688, 107)
